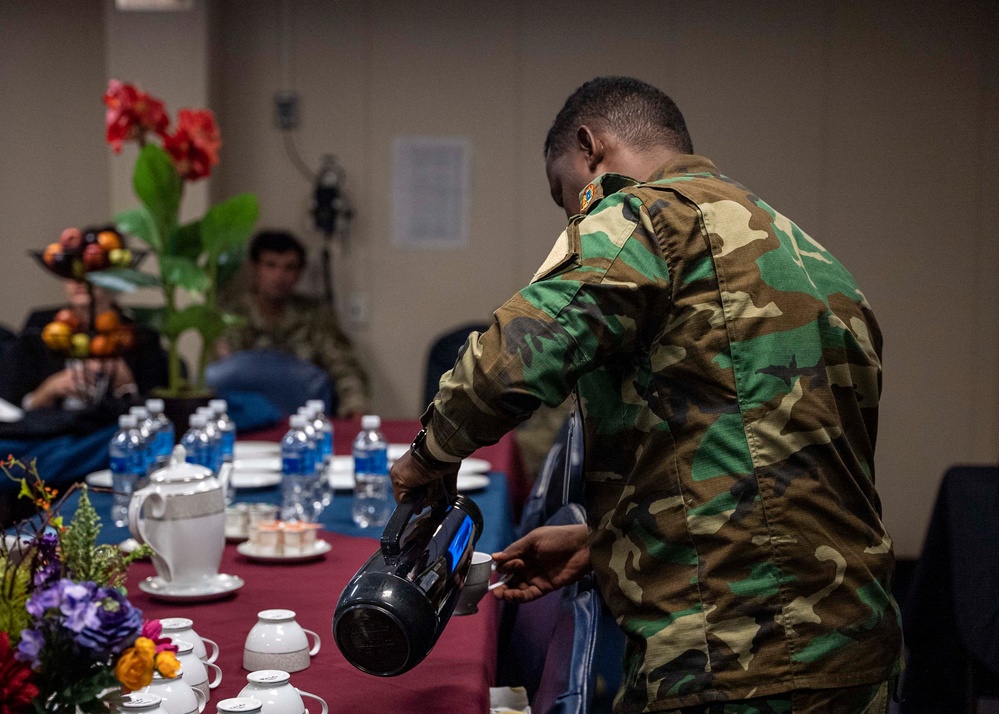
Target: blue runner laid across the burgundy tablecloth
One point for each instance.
(494, 502)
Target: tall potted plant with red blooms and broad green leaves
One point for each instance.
(192, 257)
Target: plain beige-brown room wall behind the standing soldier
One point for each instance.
(872, 124)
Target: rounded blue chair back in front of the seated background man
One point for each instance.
(284, 380)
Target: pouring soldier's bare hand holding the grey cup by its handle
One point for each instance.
(547, 558)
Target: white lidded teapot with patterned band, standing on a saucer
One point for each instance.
(181, 515)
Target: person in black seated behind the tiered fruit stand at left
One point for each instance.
(34, 377)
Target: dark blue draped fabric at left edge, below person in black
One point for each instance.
(61, 460)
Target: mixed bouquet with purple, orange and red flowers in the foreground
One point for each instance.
(70, 641)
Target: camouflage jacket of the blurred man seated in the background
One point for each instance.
(311, 332)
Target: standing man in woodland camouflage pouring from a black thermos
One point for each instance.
(728, 371)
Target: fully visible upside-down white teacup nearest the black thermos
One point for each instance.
(278, 642)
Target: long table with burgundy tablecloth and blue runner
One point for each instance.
(454, 677)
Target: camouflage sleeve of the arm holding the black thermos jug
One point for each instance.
(600, 291)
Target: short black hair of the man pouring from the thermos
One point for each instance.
(637, 112)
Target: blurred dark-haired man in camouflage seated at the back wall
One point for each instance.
(276, 318)
